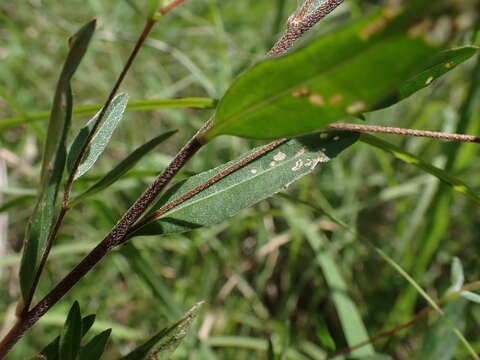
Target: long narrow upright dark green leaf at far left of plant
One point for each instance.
(53, 164)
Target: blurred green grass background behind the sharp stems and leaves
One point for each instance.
(282, 269)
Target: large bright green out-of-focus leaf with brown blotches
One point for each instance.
(350, 71)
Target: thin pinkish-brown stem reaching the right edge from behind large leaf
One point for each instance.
(405, 132)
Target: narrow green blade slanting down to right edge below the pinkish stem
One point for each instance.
(456, 184)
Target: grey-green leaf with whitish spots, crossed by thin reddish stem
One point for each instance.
(257, 180)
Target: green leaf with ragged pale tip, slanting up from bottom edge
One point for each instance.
(164, 343)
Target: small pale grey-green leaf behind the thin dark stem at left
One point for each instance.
(100, 140)
